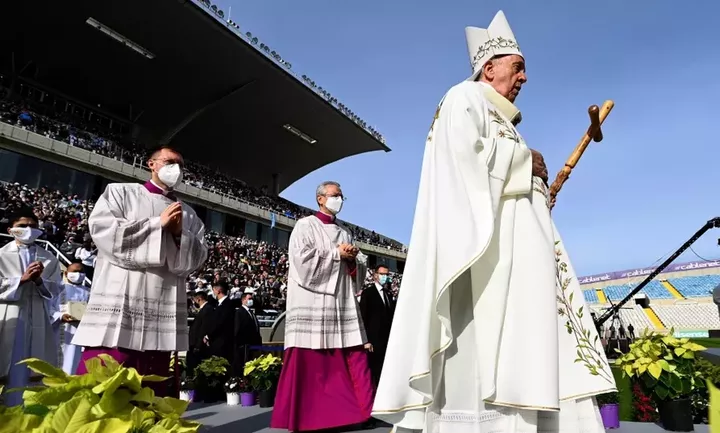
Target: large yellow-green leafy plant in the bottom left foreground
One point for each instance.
(109, 398)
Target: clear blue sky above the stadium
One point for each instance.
(633, 198)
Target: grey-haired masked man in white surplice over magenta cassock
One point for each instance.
(325, 340)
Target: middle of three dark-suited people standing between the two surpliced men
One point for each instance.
(219, 337)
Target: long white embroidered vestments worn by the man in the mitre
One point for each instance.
(489, 333)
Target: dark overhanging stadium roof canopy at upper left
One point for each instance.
(185, 77)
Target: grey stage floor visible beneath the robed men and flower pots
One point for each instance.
(221, 418)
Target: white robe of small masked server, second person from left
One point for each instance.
(69, 353)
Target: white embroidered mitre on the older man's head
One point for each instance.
(484, 44)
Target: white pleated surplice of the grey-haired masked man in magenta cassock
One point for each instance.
(322, 312)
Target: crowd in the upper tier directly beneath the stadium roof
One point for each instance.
(62, 126)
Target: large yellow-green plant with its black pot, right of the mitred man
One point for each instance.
(665, 367)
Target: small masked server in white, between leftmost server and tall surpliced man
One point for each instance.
(65, 325)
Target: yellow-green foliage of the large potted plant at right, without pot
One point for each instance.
(663, 365)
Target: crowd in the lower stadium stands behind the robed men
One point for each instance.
(244, 262)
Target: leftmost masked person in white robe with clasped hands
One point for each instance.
(29, 278)
